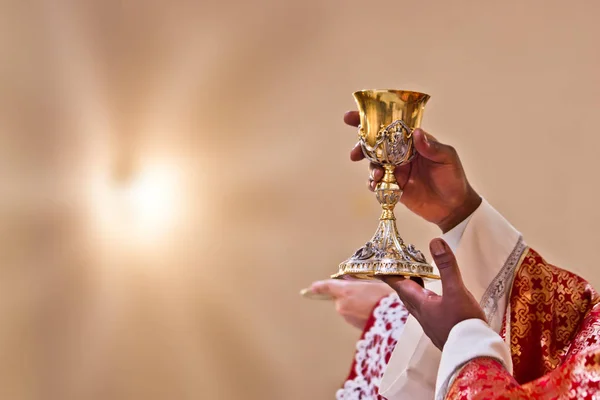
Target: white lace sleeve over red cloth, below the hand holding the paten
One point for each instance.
(374, 350)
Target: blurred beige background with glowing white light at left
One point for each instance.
(173, 173)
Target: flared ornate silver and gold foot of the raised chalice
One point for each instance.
(386, 254)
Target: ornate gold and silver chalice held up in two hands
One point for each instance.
(387, 121)
